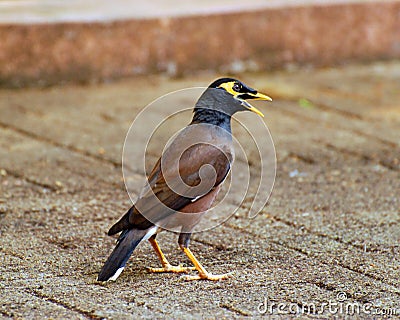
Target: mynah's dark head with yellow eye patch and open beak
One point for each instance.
(229, 96)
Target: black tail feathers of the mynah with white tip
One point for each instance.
(115, 263)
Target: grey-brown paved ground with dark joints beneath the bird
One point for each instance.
(329, 231)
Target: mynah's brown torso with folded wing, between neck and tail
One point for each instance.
(184, 182)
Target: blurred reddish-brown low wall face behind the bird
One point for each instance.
(45, 54)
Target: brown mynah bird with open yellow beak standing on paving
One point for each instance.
(185, 181)
